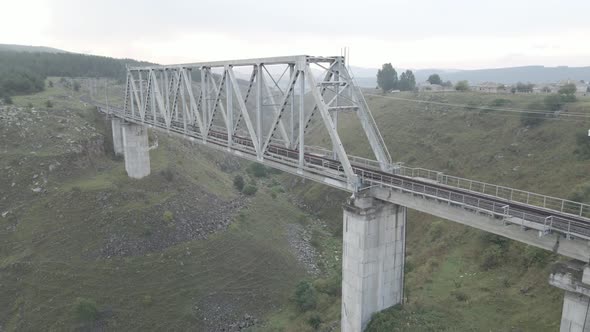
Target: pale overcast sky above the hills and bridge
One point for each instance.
(409, 34)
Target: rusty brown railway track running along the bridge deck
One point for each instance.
(408, 180)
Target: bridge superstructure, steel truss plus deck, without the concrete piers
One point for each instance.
(223, 112)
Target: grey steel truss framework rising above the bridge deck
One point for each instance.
(203, 100)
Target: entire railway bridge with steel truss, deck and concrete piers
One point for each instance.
(263, 110)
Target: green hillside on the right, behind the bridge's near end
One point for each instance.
(447, 286)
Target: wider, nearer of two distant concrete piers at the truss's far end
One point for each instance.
(137, 155)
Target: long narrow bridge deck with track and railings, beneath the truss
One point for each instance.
(510, 205)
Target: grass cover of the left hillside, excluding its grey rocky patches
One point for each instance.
(49, 259)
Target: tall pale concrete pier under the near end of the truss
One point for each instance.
(373, 253)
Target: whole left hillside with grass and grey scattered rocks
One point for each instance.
(83, 247)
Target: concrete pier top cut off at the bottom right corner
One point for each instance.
(574, 278)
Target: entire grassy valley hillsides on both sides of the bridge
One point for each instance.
(83, 247)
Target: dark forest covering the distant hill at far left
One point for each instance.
(25, 72)
